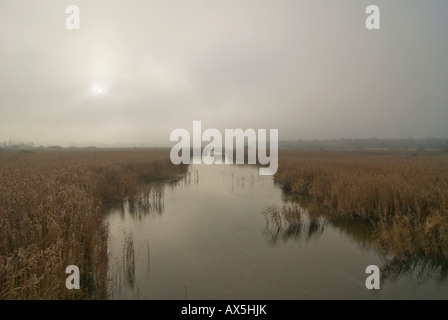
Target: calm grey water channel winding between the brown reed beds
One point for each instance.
(207, 236)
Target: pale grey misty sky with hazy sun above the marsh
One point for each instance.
(137, 70)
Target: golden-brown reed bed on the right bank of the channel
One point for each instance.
(403, 194)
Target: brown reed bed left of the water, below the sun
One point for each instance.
(52, 205)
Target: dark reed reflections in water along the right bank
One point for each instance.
(293, 222)
